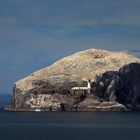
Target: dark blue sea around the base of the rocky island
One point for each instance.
(67, 125)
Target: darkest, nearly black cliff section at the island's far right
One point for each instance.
(128, 87)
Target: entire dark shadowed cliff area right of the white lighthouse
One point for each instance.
(122, 86)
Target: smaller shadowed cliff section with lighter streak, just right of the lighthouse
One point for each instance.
(105, 85)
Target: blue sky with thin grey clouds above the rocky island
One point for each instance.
(36, 33)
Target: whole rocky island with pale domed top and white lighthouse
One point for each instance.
(90, 80)
